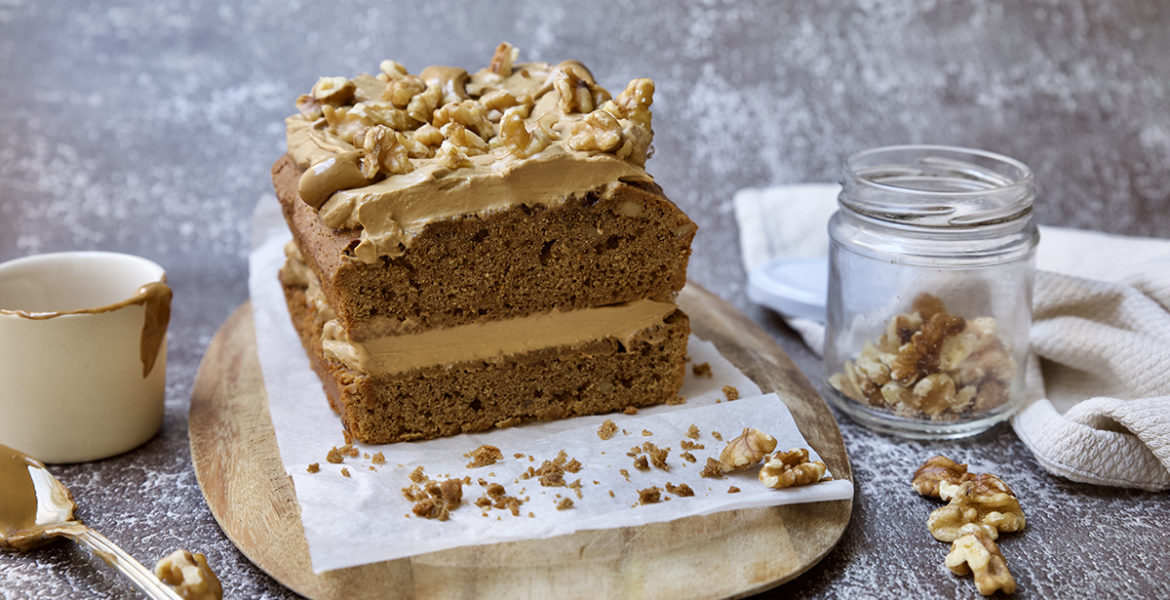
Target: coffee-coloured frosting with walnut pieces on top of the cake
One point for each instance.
(391, 153)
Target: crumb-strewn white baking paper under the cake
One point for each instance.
(363, 519)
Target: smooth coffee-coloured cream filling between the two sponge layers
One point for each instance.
(493, 340)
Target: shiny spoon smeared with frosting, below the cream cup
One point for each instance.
(36, 509)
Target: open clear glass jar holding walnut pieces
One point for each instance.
(932, 258)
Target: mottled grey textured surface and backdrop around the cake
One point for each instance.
(149, 128)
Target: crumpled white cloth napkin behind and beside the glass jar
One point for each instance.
(1098, 404)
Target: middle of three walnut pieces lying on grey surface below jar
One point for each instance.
(986, 500)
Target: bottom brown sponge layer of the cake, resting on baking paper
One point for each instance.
(597, 377)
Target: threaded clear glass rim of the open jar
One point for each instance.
(937, 185)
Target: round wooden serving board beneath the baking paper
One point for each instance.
(727, 555)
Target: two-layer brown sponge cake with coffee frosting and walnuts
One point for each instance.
(480, 251)
